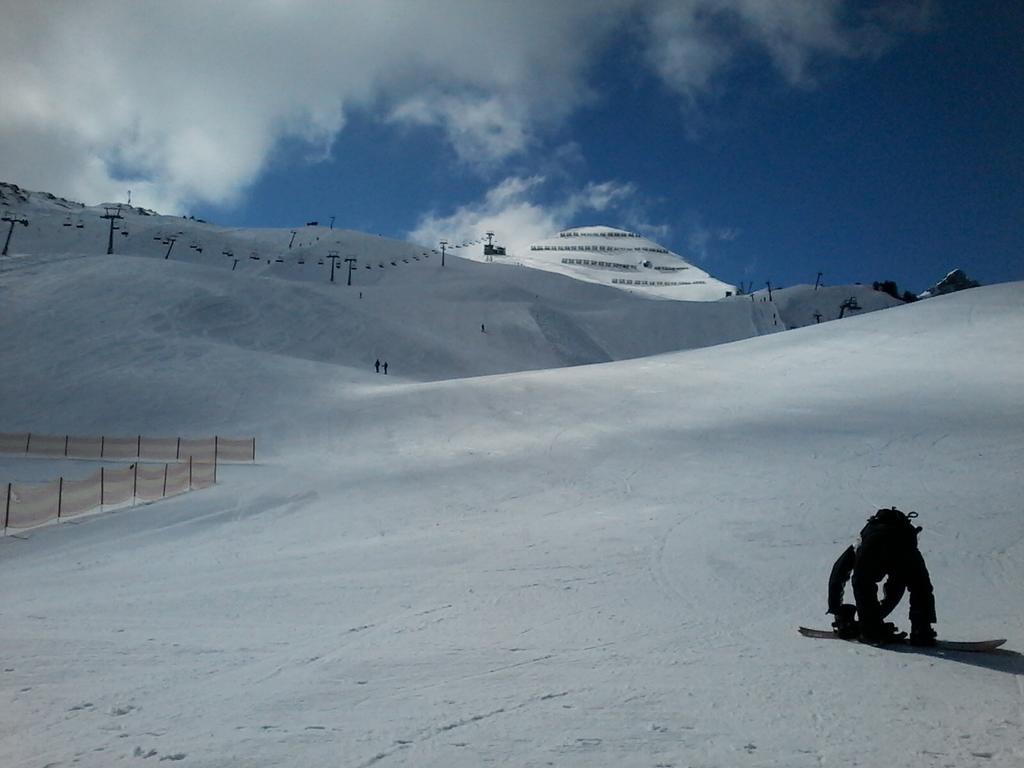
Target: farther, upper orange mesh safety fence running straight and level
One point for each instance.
(215, 449)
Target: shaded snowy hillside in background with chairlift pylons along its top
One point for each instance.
(467, 319)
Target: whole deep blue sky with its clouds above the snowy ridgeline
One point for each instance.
(762, 141)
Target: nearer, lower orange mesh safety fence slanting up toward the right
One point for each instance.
(28, 505)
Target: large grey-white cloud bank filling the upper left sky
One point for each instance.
(187, 101)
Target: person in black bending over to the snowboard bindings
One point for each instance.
(888, 549)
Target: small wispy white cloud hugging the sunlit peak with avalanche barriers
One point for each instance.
(518, 219)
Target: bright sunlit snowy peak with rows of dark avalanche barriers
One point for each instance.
(625, 261)
